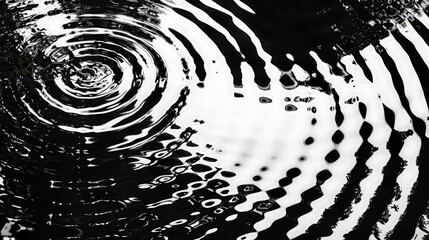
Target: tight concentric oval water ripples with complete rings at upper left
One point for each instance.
(101, 76)
